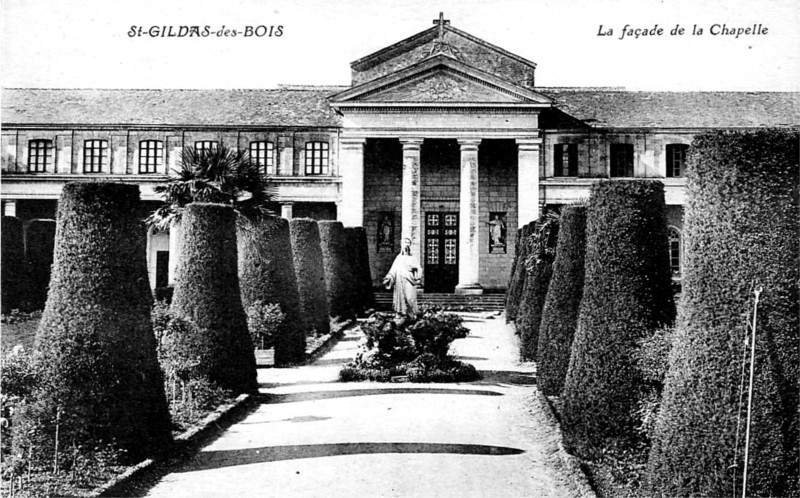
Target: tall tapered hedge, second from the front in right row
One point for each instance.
(626, 297)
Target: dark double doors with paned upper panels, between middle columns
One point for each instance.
(441, 252)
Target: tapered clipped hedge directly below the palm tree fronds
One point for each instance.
(207, 293)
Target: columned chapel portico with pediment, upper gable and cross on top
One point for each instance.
(440, 89)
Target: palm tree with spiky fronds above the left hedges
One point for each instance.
(220, 175)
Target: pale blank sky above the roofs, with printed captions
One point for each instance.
(86, 43)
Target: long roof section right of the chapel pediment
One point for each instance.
(623, 109)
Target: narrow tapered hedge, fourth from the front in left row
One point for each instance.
(308, 266)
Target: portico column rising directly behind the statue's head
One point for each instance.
(411, 203)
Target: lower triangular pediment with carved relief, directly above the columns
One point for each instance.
(443, 80)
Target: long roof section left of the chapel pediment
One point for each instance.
(287, 106)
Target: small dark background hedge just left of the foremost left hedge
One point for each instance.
(39, 254)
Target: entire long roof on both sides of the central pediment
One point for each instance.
(307, 106)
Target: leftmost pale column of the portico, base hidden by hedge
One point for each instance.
(351, 168)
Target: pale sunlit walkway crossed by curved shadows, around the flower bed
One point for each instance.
(319, 437)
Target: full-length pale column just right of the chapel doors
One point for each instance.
(469, 220)
